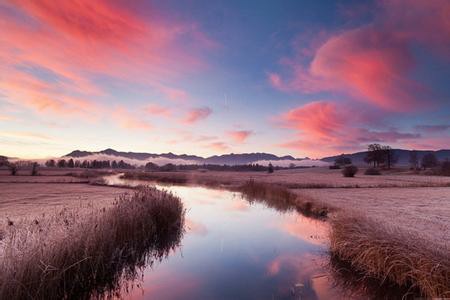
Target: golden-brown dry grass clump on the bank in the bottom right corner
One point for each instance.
(385, 253)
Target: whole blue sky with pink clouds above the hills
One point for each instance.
(307, 78)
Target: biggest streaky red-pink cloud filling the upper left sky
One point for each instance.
(79, 40)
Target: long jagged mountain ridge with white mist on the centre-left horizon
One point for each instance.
(226, 159)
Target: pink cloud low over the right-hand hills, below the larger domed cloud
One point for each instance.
(324, 128)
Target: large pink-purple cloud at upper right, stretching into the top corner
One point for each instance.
(374, 63)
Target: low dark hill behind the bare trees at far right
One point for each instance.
(403, 156)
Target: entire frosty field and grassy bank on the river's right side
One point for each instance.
(400, 226)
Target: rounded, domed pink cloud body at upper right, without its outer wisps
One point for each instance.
(372, 65)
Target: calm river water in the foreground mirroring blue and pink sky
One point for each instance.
(236, 250)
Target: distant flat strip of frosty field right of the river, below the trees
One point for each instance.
(299, 178)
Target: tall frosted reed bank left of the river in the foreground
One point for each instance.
(74, 255)
